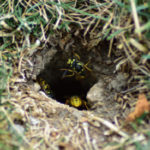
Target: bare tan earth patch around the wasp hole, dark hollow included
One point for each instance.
(59, 124)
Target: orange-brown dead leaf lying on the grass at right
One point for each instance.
(142, 106)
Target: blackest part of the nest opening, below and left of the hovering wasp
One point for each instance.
(64, 88)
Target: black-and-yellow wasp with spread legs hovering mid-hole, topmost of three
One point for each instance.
(76, 68)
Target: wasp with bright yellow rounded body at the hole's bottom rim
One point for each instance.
(77, 102)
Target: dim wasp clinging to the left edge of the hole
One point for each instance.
(45, 87)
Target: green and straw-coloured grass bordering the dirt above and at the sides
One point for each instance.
(26, 26)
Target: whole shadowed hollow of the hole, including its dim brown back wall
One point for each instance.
(64, 88)
